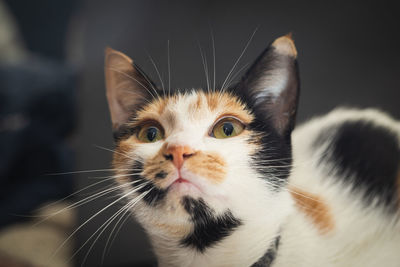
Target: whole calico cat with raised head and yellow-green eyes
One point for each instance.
(217, 178)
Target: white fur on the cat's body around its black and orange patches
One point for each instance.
(362, 236)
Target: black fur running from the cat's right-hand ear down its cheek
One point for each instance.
(275, 116)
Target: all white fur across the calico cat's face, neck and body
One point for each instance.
(362, 236)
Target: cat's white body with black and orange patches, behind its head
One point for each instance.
(345, 184)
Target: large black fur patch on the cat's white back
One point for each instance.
(367, 156)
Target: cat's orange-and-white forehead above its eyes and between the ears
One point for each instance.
(194, 107)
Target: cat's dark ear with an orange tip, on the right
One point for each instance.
(271, 85)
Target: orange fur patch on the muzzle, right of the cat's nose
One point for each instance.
(209, 165)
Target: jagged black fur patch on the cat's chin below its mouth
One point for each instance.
(208, 228)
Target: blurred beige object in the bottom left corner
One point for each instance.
(33, 243)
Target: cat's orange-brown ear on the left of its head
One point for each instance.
(127, 86)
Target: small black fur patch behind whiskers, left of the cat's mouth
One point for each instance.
(154, 194)
